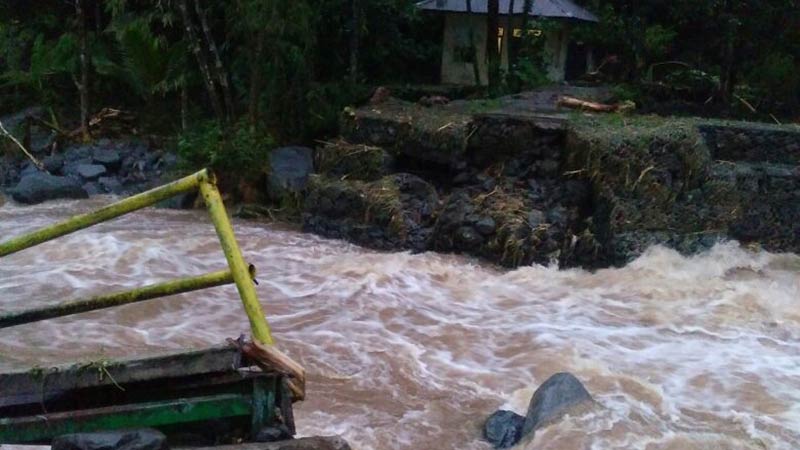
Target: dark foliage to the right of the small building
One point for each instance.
(743, 54)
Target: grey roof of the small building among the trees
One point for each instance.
(564, 9)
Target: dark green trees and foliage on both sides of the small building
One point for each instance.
(286, 68)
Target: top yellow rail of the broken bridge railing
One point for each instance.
(112, 211)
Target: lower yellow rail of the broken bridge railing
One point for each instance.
(150, 292)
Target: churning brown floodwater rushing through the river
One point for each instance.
(415, 351)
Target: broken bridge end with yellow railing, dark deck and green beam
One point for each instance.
(191, 387)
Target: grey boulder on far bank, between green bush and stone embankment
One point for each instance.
(289, 170)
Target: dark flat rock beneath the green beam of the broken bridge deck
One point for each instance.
(112, 440)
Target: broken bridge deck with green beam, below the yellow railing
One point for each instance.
(210, 389)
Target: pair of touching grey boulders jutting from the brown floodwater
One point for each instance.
(560, 395)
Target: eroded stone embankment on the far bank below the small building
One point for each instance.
(518, 186)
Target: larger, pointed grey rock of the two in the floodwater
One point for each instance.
(555, 398)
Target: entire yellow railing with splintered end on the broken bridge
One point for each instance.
(239, 272)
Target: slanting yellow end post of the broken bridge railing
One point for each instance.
(244, 283)
